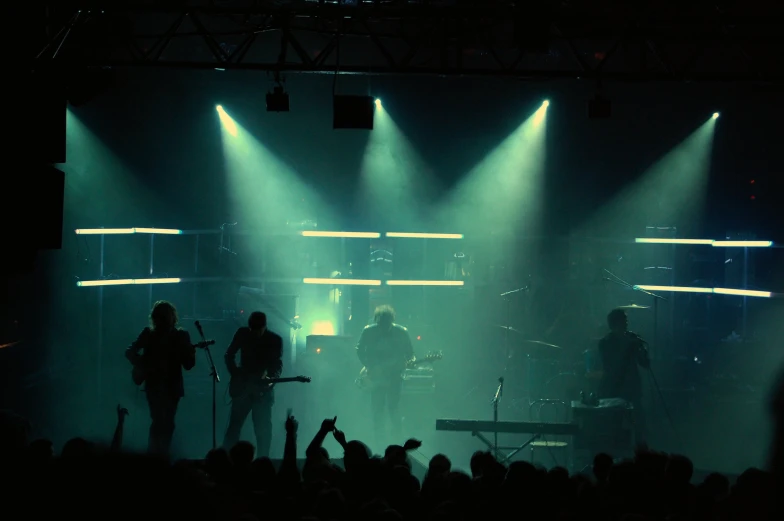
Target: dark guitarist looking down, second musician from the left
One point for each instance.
(261, 353)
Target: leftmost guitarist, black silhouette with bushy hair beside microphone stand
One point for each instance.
(159, 355)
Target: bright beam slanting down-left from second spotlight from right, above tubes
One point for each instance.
(503, 192)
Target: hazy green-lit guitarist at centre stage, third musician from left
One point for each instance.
(385, 350)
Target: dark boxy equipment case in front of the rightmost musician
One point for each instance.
(606, 427)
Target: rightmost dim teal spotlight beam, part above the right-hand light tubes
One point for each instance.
(671, 192)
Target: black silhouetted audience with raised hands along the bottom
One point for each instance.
(95, 482)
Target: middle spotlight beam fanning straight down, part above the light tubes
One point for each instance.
(396, 186)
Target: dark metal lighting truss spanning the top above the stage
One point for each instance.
(404, 38)
